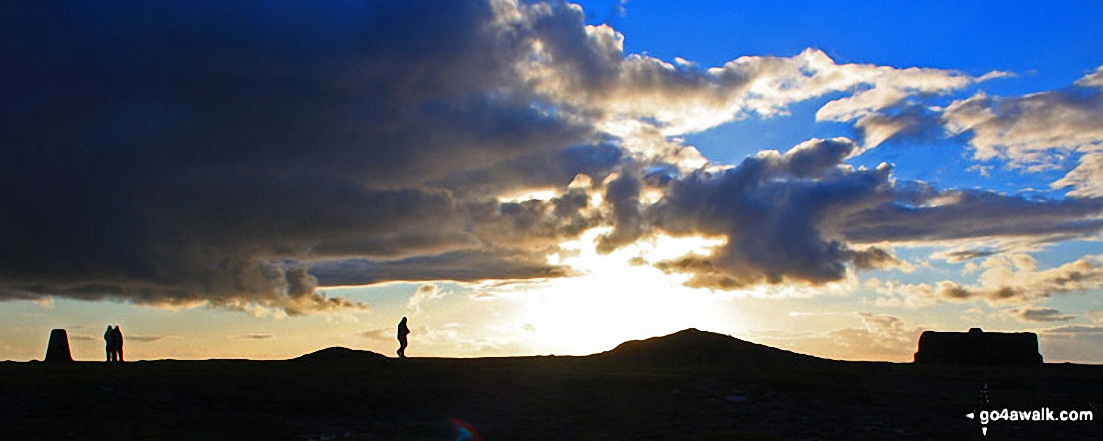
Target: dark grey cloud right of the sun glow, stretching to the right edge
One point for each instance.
(802, 216)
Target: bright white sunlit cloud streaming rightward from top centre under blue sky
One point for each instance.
(586, 68)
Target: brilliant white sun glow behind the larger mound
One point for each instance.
(618, 297)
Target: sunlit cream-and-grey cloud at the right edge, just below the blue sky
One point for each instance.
(1032, 133)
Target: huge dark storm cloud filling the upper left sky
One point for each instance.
(206, 153)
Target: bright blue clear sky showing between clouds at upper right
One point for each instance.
(1046, 46)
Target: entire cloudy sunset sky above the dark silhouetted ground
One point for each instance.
(833, 178)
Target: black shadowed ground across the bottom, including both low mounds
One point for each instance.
(688, 386)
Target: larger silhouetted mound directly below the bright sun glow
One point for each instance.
(700, 347)
